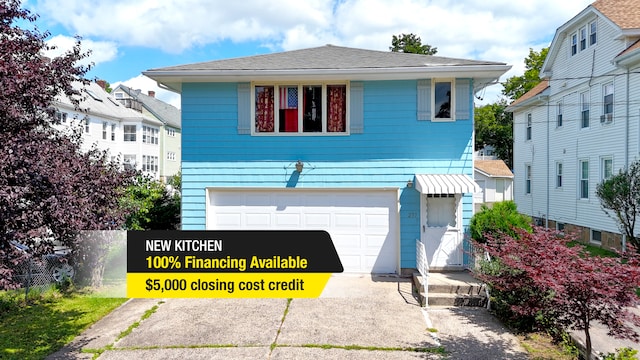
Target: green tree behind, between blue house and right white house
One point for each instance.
(494, 127)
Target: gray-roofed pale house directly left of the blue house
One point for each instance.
(170, 131)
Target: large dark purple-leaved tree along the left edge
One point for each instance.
(49, 189)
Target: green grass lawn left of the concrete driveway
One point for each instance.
(49, 321)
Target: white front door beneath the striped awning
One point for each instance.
(441, 230)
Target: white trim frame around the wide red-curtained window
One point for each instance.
(300, 84)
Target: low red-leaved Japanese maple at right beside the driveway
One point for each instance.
(576, 289)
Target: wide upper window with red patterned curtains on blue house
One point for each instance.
(300, 108)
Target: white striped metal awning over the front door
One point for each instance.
(446, 184)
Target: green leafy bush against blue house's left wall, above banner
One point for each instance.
(150, 205)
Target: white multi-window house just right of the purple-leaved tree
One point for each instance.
(130, 137)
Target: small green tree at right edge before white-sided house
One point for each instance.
(620, 199)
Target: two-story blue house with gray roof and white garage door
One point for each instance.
(375, 147)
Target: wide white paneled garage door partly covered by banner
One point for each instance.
(362, 224)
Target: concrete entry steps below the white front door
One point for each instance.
(450, 289)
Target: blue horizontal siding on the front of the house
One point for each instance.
(392, 148)
